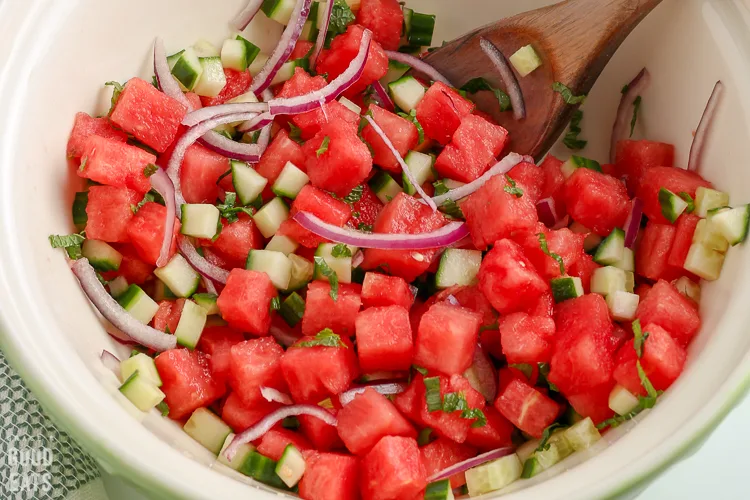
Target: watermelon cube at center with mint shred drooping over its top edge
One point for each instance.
(321, 311)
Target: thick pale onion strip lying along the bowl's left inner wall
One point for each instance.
(114, 312)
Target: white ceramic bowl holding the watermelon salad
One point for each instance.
(56, 54)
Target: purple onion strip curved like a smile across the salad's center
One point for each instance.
(443, 237)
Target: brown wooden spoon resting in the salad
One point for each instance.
(575, 40)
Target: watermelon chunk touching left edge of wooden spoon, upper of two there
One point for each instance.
(441, 112)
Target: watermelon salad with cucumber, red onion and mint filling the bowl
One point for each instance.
(335, 275)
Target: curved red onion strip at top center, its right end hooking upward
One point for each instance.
(316, 99)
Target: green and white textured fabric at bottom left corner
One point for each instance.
(37, 460)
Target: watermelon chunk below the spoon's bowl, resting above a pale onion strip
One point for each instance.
(472, 150)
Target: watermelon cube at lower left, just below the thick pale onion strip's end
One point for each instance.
(187, 381)
